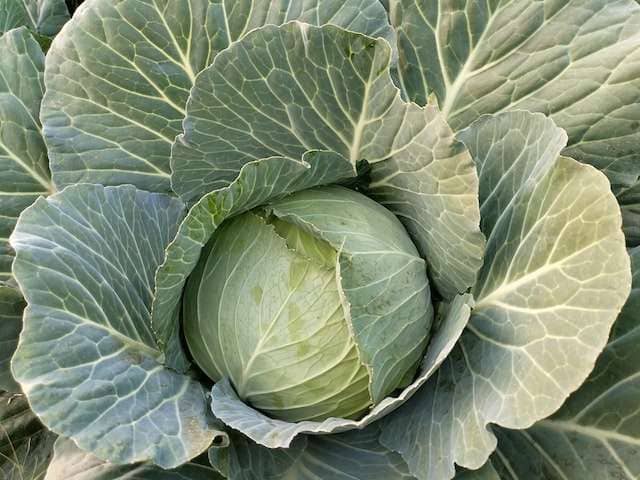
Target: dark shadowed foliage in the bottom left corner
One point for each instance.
(25, 445)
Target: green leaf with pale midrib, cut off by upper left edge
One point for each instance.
(23, 155)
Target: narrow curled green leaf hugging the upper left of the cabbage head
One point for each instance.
(257, 183)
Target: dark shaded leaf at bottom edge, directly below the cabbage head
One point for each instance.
(353, 455)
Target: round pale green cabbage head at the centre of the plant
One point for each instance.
(267, 308)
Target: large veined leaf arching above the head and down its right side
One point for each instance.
(281, 91)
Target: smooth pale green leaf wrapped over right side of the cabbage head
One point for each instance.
(383, 278)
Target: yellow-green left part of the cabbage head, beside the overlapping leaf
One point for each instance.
(265, 308)
